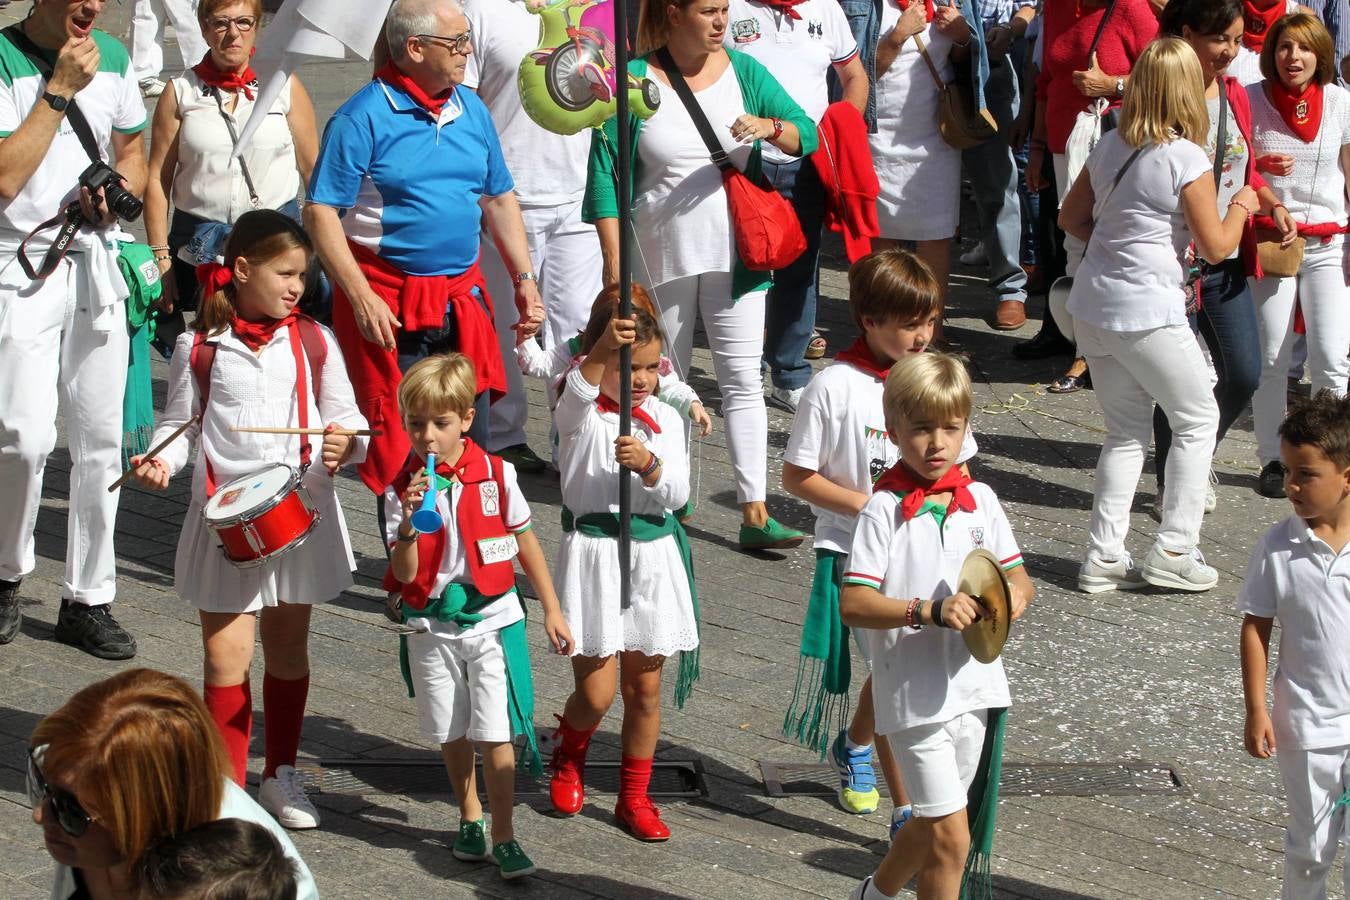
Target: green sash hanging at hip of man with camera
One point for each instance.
(140, 272)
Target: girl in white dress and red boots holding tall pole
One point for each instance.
(622, 642)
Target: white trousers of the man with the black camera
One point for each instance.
(51, 351)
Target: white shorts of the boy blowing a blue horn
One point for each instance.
(461, 687)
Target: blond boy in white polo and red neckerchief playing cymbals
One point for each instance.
(934, 700)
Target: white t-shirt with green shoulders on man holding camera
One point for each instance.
(110, 103)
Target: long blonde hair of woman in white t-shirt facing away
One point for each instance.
(1166, 98)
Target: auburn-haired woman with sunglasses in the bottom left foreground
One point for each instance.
(124, 764)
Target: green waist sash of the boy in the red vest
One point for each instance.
(461, 604)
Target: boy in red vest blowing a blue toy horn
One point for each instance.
(466, 659)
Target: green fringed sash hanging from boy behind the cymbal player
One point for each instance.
(820, 702)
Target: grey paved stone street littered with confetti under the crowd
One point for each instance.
(1140, 677)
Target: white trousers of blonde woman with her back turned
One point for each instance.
(1132, 372)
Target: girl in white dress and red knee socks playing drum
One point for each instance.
(263, 356)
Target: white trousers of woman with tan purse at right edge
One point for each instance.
(1321, 289)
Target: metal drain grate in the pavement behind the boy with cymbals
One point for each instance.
(1074, 781)
